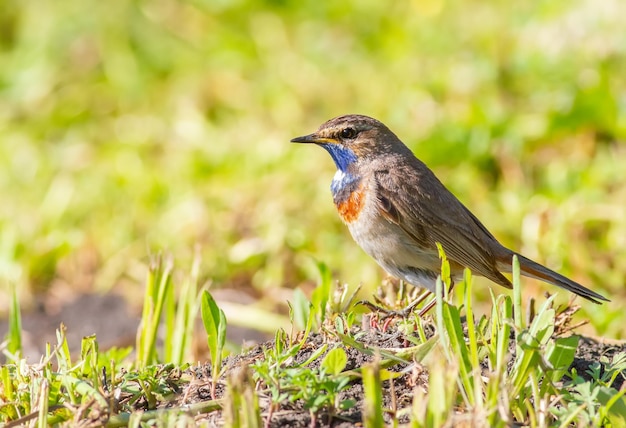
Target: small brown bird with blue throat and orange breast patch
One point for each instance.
(397, 211)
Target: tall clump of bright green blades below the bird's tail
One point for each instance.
(500, 395)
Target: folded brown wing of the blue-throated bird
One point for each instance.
(414, 199)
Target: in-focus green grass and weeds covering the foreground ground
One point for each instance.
(473, 371)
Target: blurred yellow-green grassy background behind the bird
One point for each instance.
(130, 127)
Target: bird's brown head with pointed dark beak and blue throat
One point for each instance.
(352, 139)
